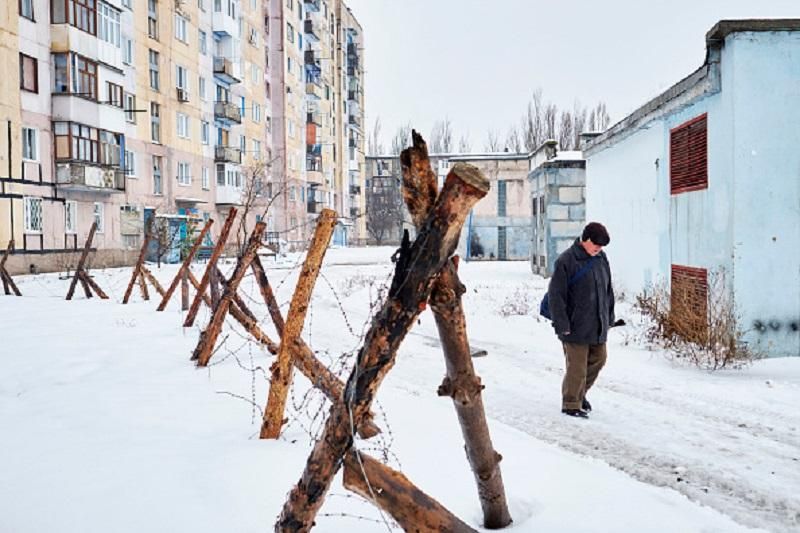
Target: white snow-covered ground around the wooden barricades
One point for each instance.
(107, 426)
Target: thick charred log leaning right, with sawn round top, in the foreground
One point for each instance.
(414, 272)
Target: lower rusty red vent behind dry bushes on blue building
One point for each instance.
(689, 301)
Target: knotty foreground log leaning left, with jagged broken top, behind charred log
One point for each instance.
(461, 383)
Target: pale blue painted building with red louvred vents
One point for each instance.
(705, 179)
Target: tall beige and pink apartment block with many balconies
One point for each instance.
(173, 111)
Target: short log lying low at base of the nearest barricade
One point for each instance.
(394, 493)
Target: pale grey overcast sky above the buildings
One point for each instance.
(478, 61)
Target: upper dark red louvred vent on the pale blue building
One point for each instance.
(688, 156)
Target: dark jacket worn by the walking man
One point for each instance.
(586, 308)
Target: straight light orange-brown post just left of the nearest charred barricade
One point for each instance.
(282, 369)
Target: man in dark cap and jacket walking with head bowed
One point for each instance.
(581, 303)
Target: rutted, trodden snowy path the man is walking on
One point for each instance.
(716, 449)
